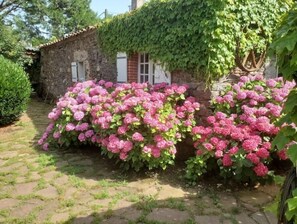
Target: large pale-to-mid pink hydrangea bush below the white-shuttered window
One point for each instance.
(136, 123)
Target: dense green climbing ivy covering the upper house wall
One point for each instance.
(191, 35)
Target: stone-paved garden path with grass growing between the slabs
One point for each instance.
(79, 186)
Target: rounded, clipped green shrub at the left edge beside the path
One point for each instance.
(14, 91)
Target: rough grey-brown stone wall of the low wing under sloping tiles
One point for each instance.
(56, 62)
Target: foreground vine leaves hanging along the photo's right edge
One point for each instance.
(285, 47)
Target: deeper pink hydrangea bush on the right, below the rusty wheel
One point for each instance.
(238, 136)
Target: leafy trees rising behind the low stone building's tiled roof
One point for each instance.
(31, 23)
